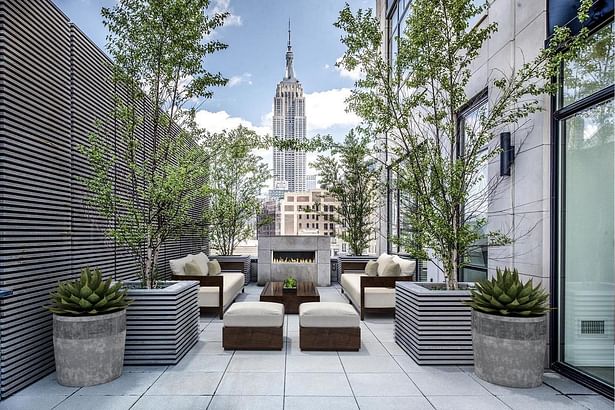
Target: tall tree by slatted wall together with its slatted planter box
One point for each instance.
(147, 174)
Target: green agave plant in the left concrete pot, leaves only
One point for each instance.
(88, 295)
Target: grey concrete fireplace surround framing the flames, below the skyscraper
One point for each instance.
(318, 272)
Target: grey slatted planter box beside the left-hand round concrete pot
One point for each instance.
(162, 325)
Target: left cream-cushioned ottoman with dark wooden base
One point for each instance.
(253, 326)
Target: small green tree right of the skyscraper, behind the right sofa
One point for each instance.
(351, 176)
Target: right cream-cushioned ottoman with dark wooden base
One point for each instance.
(329, 326)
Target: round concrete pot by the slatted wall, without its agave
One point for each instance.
(89, 350)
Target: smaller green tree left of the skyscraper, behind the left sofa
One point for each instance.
(237, 176)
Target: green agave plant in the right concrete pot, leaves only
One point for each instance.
(506, 295)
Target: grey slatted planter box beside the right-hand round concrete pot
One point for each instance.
(433, 326)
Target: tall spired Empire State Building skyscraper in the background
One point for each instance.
(289, 123)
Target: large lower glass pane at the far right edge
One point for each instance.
(588, 226)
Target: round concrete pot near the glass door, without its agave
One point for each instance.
(509, 351)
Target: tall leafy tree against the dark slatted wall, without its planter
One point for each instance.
(146, 192)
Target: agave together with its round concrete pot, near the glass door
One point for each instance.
(509, 330)
